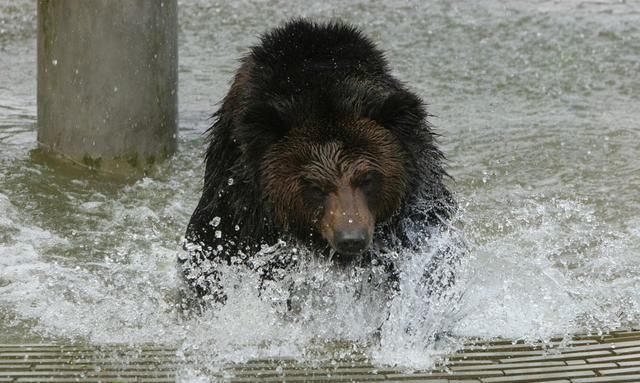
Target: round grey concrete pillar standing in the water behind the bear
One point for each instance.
(107, 81)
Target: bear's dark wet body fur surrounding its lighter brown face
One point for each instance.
(317, 76)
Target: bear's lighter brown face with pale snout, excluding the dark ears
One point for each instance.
(336, 181)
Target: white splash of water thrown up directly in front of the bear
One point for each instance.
(315, 303)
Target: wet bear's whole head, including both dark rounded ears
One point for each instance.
(332, 166)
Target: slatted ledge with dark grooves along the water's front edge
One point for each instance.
(611, 357)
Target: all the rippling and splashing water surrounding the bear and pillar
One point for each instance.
(538, 104)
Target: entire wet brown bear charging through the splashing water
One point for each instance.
(315, 142)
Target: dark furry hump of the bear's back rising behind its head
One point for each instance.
(303, 56)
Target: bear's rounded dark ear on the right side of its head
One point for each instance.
(401, 111)
